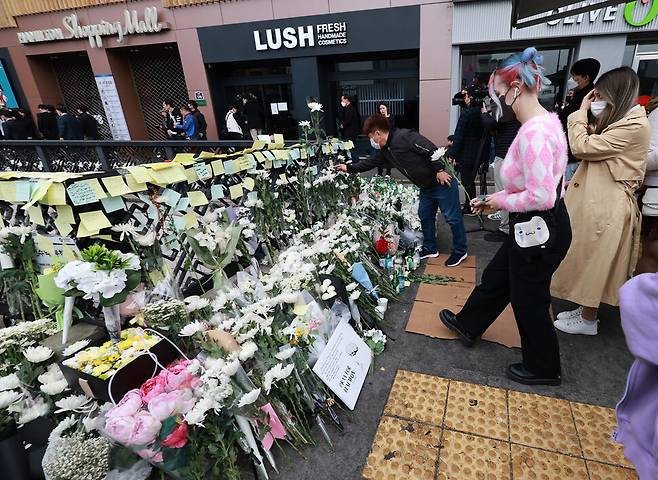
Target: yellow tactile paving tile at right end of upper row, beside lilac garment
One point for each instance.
(595, 426)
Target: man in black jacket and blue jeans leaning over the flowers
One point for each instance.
(421, 162)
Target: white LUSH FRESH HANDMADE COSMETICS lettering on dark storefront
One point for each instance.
(321, 35)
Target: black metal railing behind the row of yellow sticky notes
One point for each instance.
(102, 155)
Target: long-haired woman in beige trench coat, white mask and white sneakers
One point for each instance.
(601, 199)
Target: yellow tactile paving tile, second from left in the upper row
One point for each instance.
(477, 409)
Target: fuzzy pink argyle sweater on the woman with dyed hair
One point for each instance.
(533, 166)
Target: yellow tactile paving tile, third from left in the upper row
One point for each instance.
(542, 422)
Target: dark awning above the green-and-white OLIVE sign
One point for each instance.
(532, 12)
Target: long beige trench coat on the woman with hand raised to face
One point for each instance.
(605, 219)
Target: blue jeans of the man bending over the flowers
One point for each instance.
(446, 198)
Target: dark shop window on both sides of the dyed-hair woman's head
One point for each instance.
(477, 68)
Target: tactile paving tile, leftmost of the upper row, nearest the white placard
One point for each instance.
(417, 396)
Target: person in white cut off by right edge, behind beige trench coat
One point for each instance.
(648, 262)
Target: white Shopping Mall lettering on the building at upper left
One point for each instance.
(72, 29)
